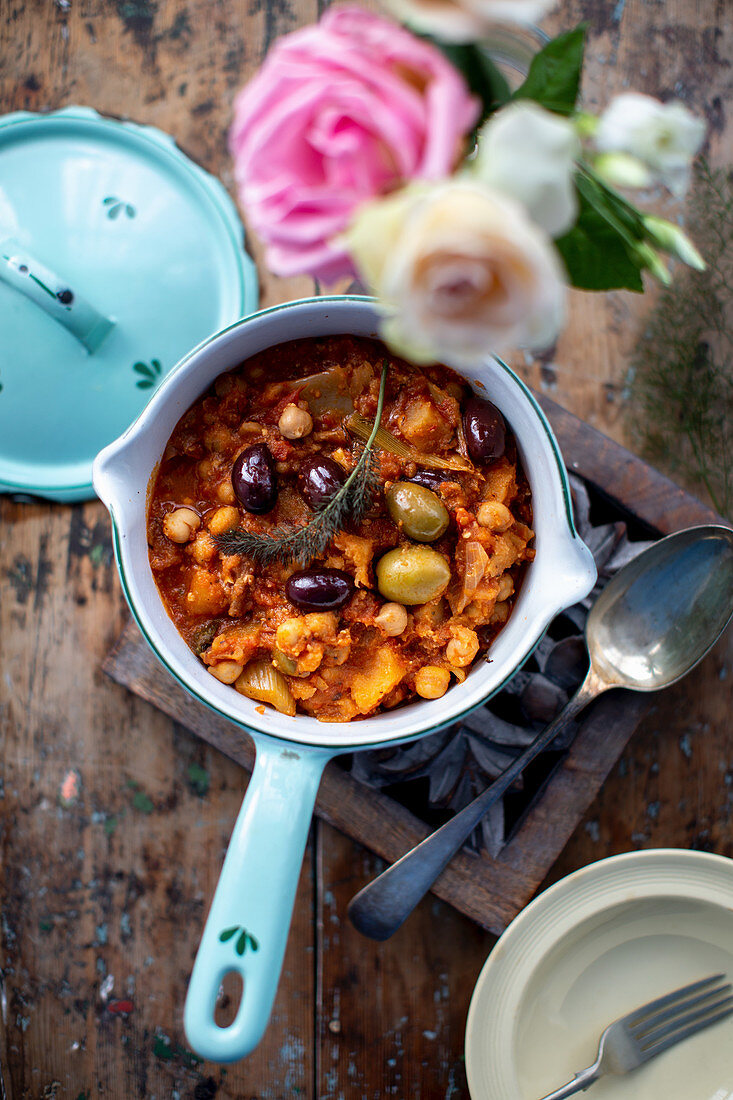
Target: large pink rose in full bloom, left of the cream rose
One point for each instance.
(341, 114)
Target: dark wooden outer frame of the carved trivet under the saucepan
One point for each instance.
(490, 892)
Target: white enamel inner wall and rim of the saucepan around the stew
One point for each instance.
(562, 574)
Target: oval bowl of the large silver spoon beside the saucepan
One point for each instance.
(661, 614)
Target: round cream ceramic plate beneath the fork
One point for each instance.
(588, 951)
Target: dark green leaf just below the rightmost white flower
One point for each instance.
(599, 250)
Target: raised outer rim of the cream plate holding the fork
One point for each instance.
(649, 875)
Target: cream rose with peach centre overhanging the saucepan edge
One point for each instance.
(461, 271)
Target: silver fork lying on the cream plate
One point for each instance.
(652, 1029)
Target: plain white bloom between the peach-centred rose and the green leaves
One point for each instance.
(530, 155)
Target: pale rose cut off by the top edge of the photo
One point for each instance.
(466, 20)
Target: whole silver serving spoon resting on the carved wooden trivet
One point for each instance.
(654, 621)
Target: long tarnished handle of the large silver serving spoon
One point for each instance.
(384, 905)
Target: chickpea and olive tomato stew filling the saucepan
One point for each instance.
(419, 574)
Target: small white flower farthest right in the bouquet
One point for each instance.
(665, 137)
